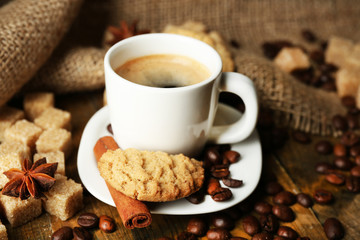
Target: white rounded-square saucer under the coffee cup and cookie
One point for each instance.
(247, 169)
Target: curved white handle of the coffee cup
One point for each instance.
(243, 87)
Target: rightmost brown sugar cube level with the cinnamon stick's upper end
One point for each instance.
(52, 140)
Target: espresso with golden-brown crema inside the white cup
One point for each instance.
(164, 71)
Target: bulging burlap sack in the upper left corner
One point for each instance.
(29, 32)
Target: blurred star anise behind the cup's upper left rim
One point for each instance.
(124, 31)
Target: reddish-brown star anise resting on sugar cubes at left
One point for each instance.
(32, 180)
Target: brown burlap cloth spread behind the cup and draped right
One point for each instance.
(248, 22)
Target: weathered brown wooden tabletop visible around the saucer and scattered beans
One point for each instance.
(293, 165)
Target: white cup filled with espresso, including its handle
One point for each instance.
(163, 90)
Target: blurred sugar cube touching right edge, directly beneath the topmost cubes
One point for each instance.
(347, 81)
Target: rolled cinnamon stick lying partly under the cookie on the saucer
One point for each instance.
(133, 213)
